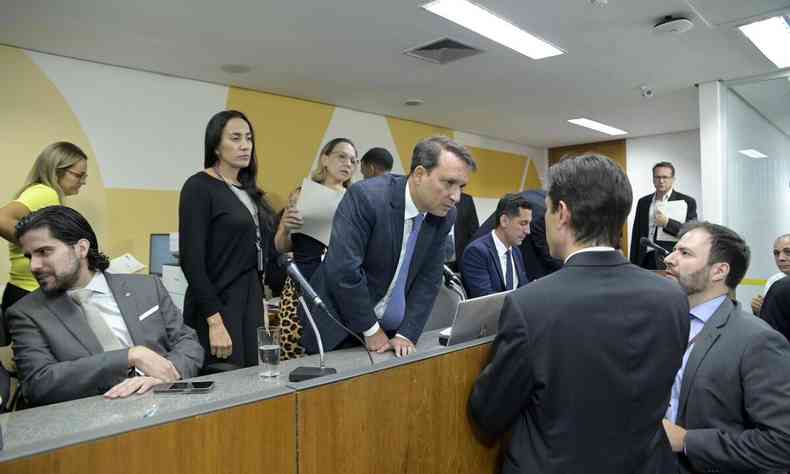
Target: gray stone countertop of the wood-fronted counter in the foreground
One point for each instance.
(50, 427)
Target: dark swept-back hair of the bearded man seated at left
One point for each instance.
(68, 226)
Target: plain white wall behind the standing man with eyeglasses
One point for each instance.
(682, 149)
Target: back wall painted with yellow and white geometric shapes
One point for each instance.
(289, 133)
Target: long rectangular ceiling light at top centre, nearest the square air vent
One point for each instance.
(485, 23)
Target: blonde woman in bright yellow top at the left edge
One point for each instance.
(59, 171)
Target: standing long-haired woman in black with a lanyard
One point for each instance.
(225, 233)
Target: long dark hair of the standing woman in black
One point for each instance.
(247, 176)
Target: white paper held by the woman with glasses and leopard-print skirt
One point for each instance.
(317, 205)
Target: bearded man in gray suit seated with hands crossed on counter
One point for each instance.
(85, 332)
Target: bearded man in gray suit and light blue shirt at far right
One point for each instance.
(730, 404)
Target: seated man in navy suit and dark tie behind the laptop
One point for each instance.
(493, 262)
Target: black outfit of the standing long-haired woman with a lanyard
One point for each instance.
(219, 259)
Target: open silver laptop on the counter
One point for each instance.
(475, 317)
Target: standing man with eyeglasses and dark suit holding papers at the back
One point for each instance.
(653, 218)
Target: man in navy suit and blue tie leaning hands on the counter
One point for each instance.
(383, 267)
